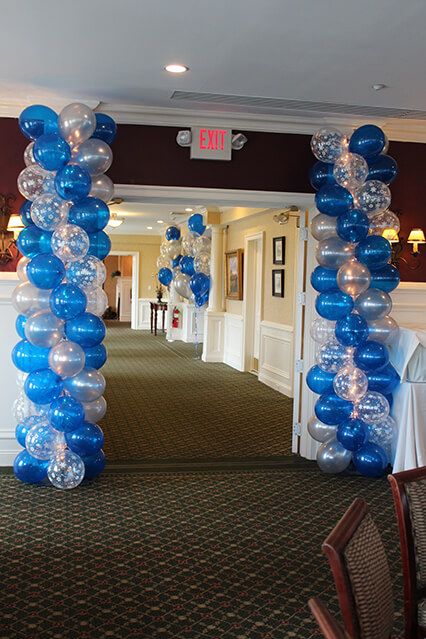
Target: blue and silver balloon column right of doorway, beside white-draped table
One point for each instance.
(353, 376)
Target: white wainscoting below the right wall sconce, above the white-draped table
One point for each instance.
(409, 303)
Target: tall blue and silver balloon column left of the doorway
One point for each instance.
(60, 299)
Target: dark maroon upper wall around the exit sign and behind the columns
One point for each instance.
(268, 162)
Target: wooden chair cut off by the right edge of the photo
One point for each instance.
(409, 495)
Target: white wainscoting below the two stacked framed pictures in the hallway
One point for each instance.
(276, 357)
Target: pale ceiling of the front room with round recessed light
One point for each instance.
(310, 50)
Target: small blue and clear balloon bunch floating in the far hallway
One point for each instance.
(184, 262)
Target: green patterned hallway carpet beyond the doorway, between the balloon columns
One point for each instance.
(165, 405)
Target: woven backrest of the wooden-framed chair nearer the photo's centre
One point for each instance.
(361, 574)
